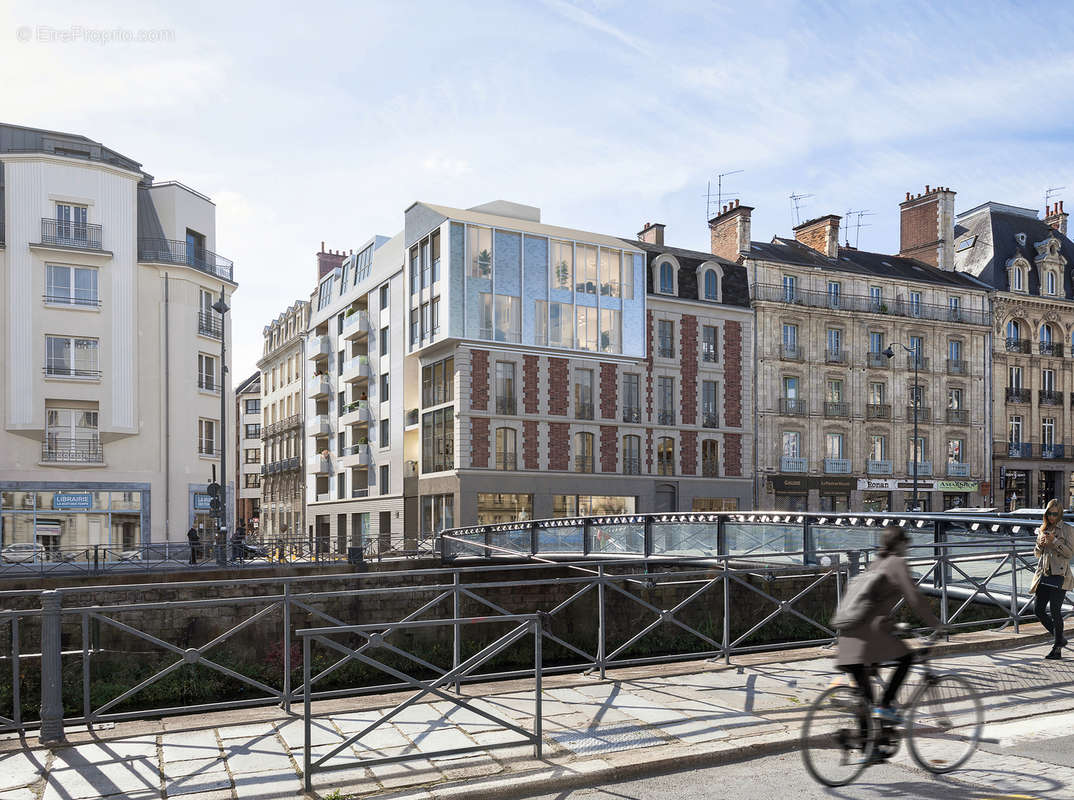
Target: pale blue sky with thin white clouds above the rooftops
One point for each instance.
(324, 122)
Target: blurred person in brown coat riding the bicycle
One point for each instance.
(874, 642)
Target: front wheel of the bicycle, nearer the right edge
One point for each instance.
(945, 724)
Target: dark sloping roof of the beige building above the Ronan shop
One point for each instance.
(861, 263)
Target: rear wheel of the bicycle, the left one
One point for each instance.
(838, 737)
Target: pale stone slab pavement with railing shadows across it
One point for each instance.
(654, 719)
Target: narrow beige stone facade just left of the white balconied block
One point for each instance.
(283, 374)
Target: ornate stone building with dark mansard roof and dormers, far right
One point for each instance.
(1025, 260)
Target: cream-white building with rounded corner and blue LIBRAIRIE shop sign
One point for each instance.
(110, 360)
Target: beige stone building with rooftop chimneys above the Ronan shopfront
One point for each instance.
(835, 415)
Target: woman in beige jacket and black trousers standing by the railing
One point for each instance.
(1053, 579)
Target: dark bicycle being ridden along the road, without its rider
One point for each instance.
(945, 719)
